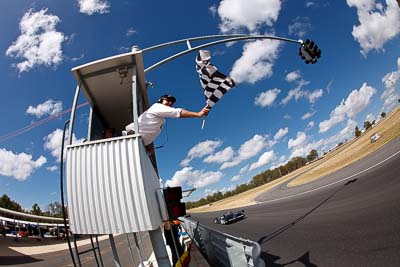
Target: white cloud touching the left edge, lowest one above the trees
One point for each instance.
(19, 166)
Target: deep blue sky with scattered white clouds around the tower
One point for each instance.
(280, 108)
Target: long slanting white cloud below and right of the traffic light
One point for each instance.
(349, 108)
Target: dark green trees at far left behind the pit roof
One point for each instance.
(54, 209)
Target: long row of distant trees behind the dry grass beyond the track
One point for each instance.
(258, 180)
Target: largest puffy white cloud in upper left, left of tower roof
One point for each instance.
(39, 42)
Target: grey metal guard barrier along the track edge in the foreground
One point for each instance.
(221, 249)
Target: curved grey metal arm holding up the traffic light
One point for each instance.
(226, 38)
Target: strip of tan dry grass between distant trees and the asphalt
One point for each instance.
(354, 150)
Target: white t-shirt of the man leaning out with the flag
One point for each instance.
(152, 120)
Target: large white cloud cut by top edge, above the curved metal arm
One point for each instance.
(238, 14)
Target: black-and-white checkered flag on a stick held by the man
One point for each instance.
(214, 83)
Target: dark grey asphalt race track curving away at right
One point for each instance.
(348, 218)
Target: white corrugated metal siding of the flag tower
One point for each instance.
(111, 187)
